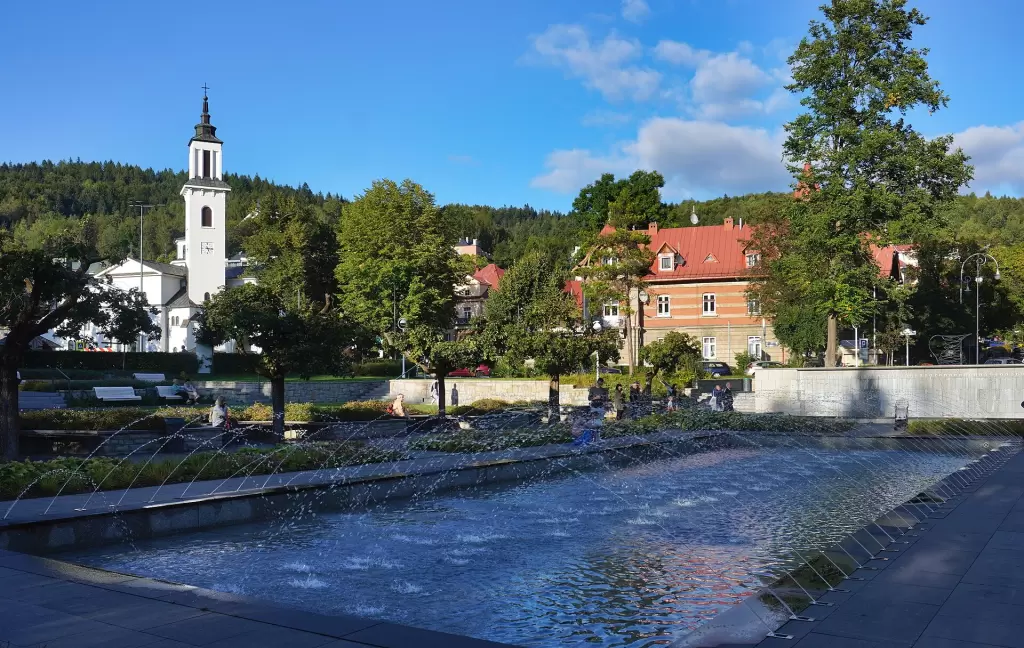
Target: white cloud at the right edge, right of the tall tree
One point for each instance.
(998, 156)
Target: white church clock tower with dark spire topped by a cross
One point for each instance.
(206, 211)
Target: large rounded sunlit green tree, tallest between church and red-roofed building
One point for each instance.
(399, 263)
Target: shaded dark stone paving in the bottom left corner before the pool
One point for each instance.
(54, 603)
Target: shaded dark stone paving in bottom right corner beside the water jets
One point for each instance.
(959, 583)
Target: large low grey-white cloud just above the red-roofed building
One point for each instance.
(698, 158)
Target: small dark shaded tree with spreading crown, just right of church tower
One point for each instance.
(292, 339)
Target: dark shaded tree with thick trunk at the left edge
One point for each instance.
(46, 285)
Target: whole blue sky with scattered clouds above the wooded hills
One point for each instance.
(480, 102)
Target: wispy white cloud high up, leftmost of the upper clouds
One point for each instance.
(604, 67)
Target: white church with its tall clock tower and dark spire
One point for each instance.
(202, 269)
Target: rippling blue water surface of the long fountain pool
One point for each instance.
(623, 557)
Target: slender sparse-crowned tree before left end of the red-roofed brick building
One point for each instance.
(615, 272)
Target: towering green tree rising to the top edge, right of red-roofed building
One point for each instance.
(865, 175)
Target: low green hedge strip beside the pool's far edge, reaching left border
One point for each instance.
(78, 476)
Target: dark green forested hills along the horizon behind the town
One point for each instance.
(107, 190)
